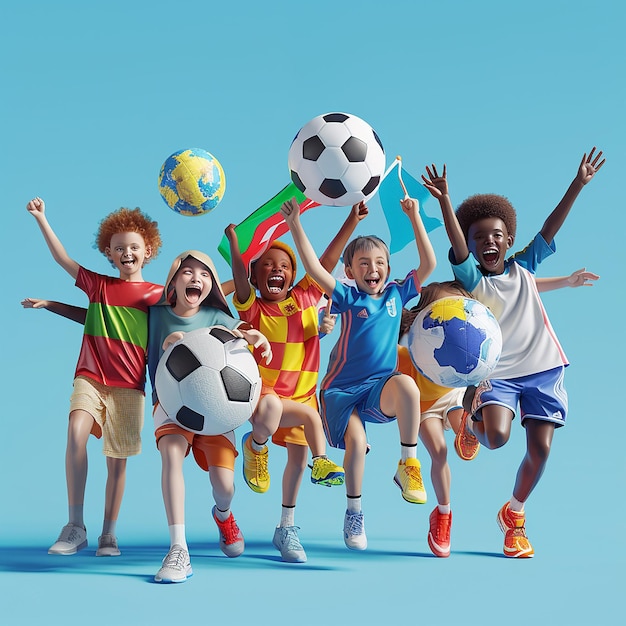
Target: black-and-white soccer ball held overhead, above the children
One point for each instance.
(337, 160)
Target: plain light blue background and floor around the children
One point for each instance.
(96, 95)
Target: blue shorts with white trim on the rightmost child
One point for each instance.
(540, 396)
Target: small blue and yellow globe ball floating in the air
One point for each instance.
(192, 182)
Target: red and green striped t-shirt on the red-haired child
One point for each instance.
(113, 351)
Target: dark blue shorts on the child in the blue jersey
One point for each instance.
(337, 405)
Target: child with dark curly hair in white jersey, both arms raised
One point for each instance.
(531, 367)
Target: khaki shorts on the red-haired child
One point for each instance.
(117, 412)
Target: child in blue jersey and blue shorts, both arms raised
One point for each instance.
(362, 384)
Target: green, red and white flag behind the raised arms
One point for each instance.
(259, 229)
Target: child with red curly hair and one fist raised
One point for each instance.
(108, 396)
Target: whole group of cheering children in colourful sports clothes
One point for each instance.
(369, 377)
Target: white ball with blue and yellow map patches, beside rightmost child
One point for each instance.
(455, 342)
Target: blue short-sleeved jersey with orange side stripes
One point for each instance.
(367, 348)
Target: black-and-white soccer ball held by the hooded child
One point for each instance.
(208, 382)
